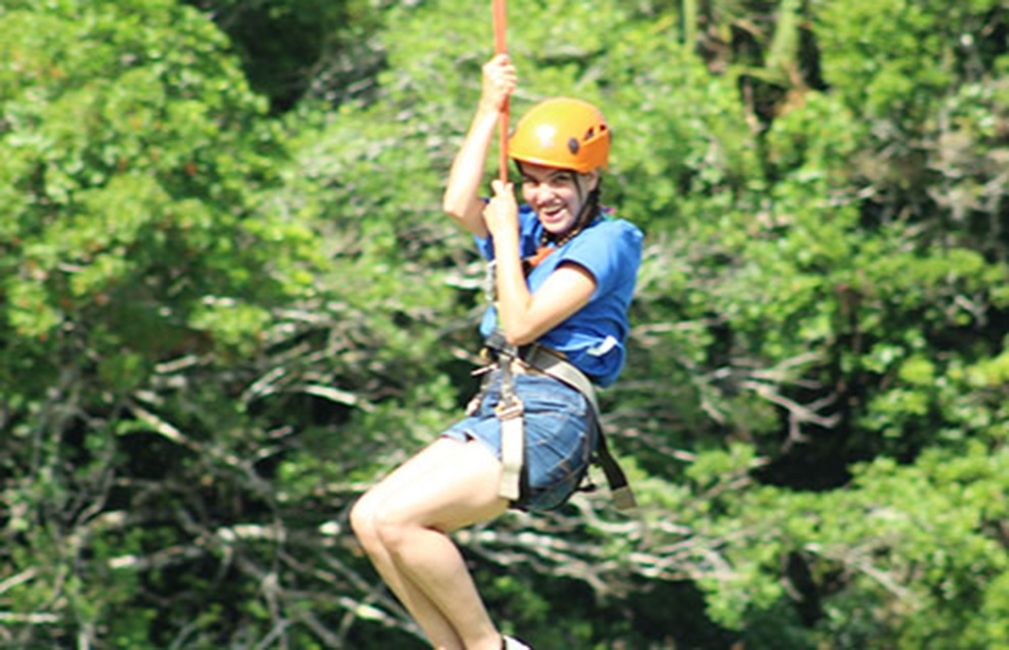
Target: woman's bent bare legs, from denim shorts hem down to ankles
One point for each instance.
(403, 521)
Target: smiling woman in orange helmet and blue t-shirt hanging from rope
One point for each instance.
(574, 304)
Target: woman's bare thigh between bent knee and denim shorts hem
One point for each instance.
(447, 486)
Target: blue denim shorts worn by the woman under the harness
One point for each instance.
(560, 437)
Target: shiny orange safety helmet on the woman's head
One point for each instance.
(563, 133)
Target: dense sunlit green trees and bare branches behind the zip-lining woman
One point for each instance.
(229, 302)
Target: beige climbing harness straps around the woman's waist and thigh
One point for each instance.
(541, 359)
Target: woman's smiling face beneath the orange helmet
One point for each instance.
(556, 195)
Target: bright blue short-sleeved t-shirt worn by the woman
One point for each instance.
(593, 339)
